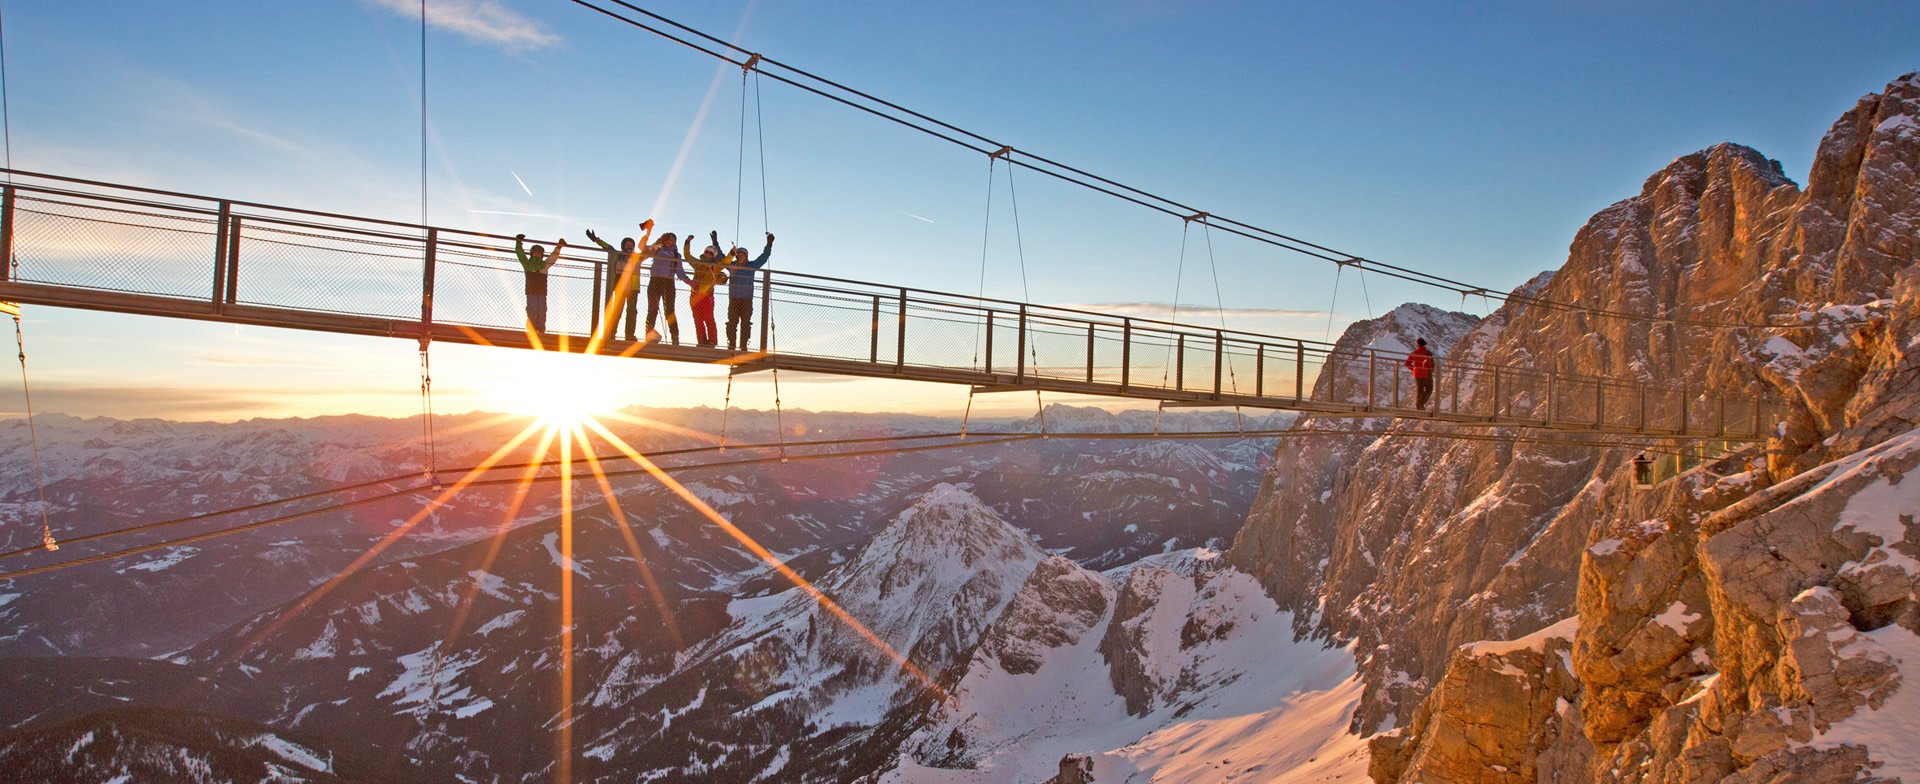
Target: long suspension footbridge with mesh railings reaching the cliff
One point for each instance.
(153, 253)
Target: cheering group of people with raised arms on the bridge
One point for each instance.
(661, 262)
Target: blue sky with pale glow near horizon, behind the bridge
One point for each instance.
(1470, 141)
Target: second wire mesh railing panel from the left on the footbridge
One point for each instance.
(302, 270)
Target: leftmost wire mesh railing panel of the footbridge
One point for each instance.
(101, 247)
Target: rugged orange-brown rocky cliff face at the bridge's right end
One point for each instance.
(1733, 622)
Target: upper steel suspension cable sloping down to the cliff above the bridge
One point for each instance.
(1086, 180)
